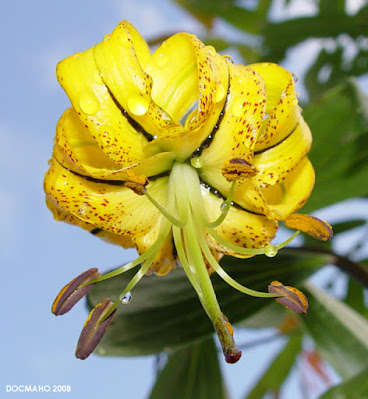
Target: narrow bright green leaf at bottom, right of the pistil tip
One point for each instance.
(277, 372)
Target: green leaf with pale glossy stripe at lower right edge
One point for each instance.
(340, 333)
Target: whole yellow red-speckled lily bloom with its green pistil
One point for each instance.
(181, 154)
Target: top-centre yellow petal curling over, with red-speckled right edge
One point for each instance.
(195, 75)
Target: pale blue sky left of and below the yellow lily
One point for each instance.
(39, 255)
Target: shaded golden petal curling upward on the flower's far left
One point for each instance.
(78, 151)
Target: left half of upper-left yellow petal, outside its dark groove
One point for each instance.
(112, 129)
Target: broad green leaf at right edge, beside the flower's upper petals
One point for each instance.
(339, 123)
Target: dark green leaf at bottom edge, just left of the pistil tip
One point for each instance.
(191, 373)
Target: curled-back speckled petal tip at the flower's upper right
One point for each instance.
(282, 111)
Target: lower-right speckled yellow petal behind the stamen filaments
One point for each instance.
(240, 227)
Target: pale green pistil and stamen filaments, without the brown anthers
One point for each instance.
(185, 216)
